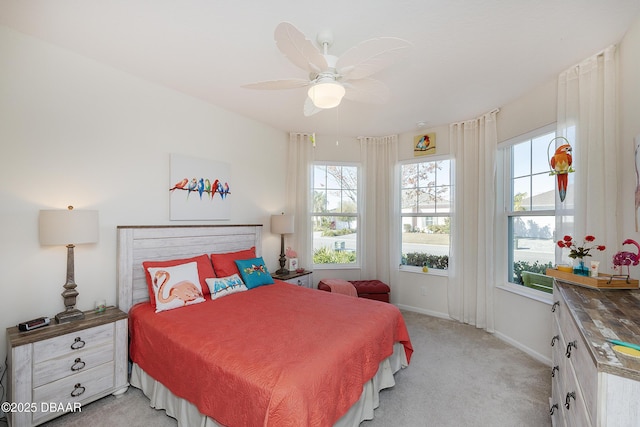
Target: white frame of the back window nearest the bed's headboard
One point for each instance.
(357, 215)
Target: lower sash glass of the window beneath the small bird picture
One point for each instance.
(425, 241)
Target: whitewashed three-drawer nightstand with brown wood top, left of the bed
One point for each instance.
(54, 369)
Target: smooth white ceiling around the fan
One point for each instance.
(468, 57)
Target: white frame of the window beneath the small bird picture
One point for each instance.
(401, 215)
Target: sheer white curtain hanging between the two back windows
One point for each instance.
(379, 218)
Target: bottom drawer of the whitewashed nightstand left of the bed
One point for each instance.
(77, 388)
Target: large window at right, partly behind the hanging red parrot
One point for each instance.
(530, 207)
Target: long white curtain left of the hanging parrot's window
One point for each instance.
(472, 268)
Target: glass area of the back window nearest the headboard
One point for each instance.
(334, 215)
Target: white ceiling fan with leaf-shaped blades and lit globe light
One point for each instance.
(332, 78)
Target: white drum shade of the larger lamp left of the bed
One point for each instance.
(64, 227)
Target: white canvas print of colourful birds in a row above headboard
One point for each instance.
(199, 189)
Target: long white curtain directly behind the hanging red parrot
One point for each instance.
(587, 118)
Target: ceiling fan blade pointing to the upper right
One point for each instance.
(371, 56)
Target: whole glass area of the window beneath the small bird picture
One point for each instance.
(426, 213)
